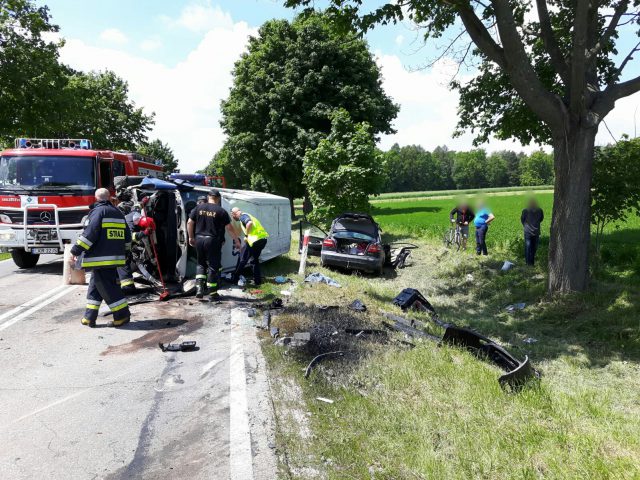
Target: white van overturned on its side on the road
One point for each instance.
(169, 204)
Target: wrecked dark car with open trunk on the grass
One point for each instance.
(353, 242)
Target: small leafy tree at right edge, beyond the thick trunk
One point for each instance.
(616, 191)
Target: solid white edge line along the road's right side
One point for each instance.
(240, 456)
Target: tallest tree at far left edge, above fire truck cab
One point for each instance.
(31, 77)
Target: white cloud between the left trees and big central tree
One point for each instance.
(186, 97)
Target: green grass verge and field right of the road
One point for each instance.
(434, 412)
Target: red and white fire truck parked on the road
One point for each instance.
(46, 187)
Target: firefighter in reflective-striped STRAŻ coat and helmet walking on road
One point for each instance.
(104, 242)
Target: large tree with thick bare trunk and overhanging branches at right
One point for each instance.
(549, 71)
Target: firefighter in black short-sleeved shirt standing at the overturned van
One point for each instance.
(206, 226)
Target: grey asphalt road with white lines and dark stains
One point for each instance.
(82, 403)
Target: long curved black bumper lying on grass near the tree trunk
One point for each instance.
(518, 373)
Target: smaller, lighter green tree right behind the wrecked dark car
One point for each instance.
(343, 170)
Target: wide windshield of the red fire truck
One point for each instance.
(47, 172)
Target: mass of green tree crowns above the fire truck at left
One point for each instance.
(41, 97)
